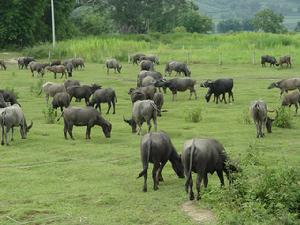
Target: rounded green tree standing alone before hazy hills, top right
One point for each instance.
(268, 21)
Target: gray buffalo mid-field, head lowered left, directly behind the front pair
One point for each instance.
(143, 111)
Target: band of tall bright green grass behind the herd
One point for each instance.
(191, 48)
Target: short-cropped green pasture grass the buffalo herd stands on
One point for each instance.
(46, 179)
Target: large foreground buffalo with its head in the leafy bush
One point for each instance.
(204, 156)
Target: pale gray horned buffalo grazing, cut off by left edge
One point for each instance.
(13, 116)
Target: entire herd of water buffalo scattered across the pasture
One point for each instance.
(201, 156)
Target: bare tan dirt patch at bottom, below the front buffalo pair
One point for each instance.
(200, 216)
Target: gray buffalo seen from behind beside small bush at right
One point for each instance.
(260, 117)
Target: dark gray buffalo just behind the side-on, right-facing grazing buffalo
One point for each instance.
(104, 95)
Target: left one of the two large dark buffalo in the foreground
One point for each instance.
(157, 148)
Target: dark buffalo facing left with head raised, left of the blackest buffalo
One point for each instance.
(178, 84)
